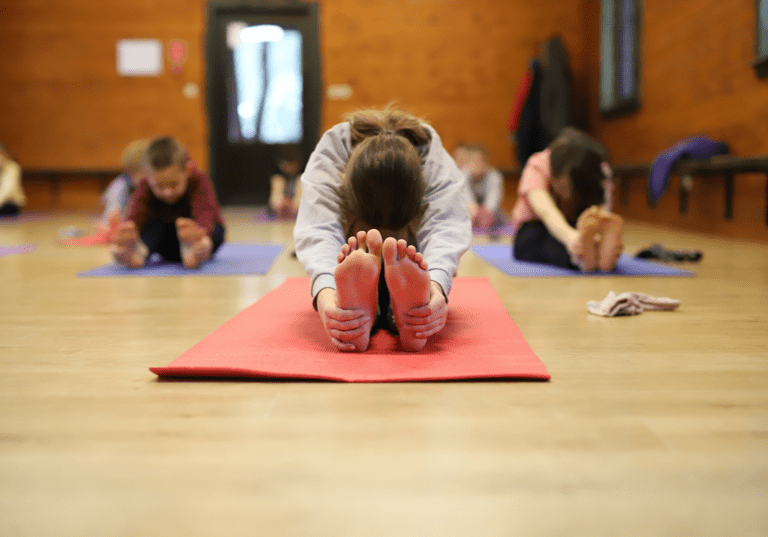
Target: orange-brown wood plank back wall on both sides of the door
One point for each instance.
(456, 63)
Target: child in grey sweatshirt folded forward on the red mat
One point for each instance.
(377, 187)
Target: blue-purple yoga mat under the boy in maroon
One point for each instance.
(232, 259)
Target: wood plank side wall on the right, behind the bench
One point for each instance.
(696, 80)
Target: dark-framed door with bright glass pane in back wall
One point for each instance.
(262, 91)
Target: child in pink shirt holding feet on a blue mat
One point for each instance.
(562, 214)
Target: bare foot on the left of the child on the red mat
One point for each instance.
(357, 279)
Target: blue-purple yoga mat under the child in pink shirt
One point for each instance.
(500, 256)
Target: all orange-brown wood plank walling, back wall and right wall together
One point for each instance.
(455, 62)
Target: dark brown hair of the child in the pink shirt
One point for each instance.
(578, 156)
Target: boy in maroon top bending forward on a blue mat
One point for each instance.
(174, 212)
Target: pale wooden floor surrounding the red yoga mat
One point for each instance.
(651, 425)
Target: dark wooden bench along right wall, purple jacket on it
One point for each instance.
(724, 165)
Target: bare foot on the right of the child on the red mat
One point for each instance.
(408, 282)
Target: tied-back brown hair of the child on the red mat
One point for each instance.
(384, 186)
